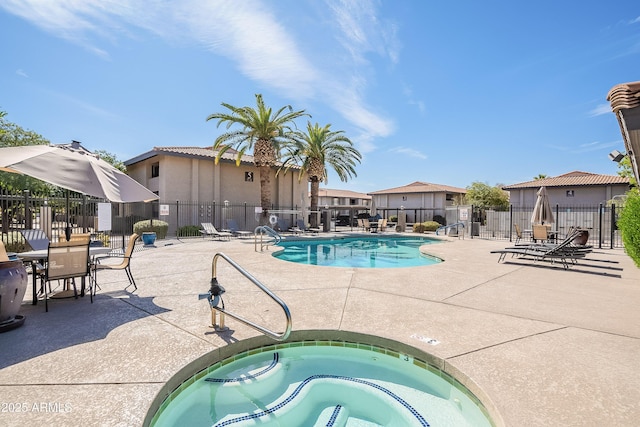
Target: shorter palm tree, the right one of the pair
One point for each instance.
(316, 149)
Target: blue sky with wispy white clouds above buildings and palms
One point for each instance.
(443, 92)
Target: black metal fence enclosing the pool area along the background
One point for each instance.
(184, 219)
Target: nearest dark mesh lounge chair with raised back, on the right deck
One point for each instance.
(565, 251)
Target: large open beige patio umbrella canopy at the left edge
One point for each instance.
(72, 167)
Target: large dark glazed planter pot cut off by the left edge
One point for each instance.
(13, 285)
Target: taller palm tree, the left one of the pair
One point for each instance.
(261, 130)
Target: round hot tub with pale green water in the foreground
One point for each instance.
(328, 382)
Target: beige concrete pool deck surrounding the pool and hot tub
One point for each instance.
(549, 347)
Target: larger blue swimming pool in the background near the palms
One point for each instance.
(368, 252)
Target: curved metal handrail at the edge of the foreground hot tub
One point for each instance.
(216, 291)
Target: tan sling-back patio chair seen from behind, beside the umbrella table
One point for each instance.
(65, 261)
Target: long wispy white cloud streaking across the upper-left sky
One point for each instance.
(250, 33)
